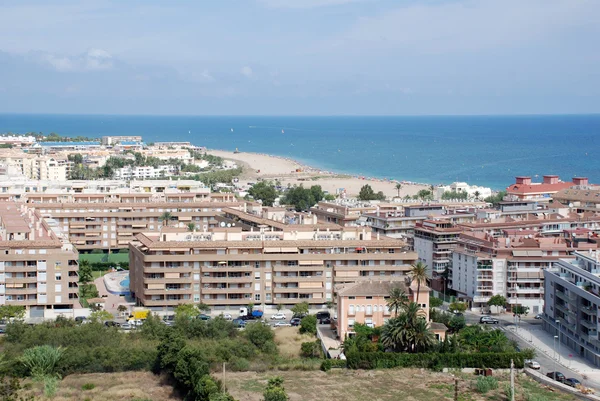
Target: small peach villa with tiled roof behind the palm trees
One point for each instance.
(365, 302)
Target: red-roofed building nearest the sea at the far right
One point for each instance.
(525, 189)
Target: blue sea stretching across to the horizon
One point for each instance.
(482, 150)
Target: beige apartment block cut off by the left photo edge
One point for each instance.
(38, 264)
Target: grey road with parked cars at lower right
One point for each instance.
(548, 364)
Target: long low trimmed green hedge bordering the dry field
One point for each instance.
(378, 360)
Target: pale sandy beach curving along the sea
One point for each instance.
(289, 171)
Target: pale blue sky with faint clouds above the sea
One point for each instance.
(300, 57)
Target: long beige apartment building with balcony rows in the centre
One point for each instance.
(230, 267)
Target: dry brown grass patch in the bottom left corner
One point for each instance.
(127, 386)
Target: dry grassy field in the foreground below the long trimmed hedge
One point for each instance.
(382, 385)
